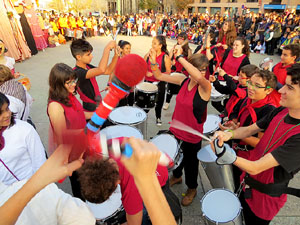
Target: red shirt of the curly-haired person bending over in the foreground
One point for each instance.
(131, 199)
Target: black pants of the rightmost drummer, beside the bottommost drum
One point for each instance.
(249, 216)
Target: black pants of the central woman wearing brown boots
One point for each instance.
(190, 163)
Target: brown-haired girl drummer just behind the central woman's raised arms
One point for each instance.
(177, 67)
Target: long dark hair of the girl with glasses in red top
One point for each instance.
(59, 75)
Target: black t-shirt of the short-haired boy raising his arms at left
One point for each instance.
(84, 84)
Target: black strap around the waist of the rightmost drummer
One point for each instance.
(274, 190)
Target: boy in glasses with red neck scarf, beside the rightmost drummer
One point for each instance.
(253, 108)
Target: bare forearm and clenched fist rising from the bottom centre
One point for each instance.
(142, 165)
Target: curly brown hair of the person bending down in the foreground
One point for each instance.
(98, 179)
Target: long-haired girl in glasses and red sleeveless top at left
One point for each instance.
(65, 112)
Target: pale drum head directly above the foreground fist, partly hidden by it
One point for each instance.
(121, 131)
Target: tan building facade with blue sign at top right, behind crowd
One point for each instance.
(237, 6)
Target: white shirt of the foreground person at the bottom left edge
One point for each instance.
(50, 206)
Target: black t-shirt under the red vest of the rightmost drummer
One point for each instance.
(288, 154)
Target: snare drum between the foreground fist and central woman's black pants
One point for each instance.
(169, 145)
